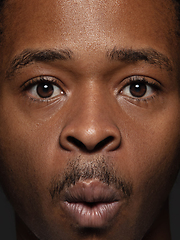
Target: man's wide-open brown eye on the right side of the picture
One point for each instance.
(138, 89)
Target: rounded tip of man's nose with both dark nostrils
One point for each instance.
(79, 137)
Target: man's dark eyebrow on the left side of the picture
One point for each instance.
(30, 56)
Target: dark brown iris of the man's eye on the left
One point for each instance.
(45, 90)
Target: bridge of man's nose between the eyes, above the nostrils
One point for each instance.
(91, 106)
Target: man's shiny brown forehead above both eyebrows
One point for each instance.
(83, 25)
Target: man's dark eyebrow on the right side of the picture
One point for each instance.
(148, 55)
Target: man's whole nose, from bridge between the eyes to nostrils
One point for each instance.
(91, 126)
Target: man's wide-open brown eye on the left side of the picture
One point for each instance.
(43, 88)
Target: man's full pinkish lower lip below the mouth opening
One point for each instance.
(95, 216)
